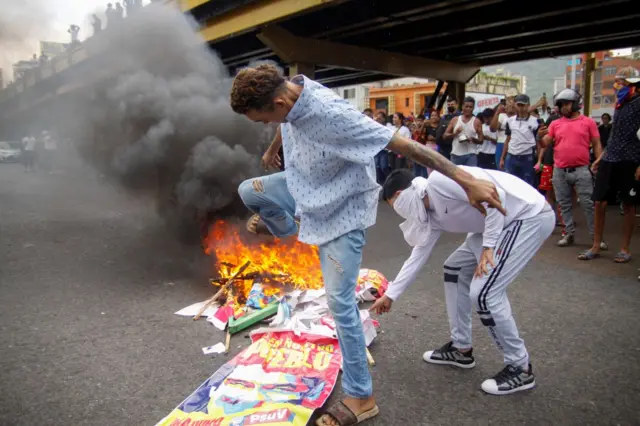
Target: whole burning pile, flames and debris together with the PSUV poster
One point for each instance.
(292, 365)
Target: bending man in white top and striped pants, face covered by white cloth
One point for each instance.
(477, 274)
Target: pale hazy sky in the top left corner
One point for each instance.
(23, 23)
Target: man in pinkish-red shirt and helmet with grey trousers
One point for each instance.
(574, 134)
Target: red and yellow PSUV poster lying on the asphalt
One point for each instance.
(280, 379)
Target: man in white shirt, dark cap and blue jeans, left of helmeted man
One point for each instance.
(519, 148)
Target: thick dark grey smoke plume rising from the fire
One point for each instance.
(156, 117)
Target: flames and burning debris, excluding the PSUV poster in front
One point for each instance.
(256, 280)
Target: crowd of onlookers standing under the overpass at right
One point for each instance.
(555, 148)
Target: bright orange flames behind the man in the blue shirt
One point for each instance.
(275, 265)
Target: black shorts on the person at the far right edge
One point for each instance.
(616, 179)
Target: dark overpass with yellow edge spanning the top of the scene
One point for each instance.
(343, 42)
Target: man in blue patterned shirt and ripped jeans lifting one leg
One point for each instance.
(330, 184)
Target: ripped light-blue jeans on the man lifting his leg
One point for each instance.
(340, 262)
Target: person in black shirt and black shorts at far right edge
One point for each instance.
(618, 167)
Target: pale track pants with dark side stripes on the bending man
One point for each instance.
(518, 243)
